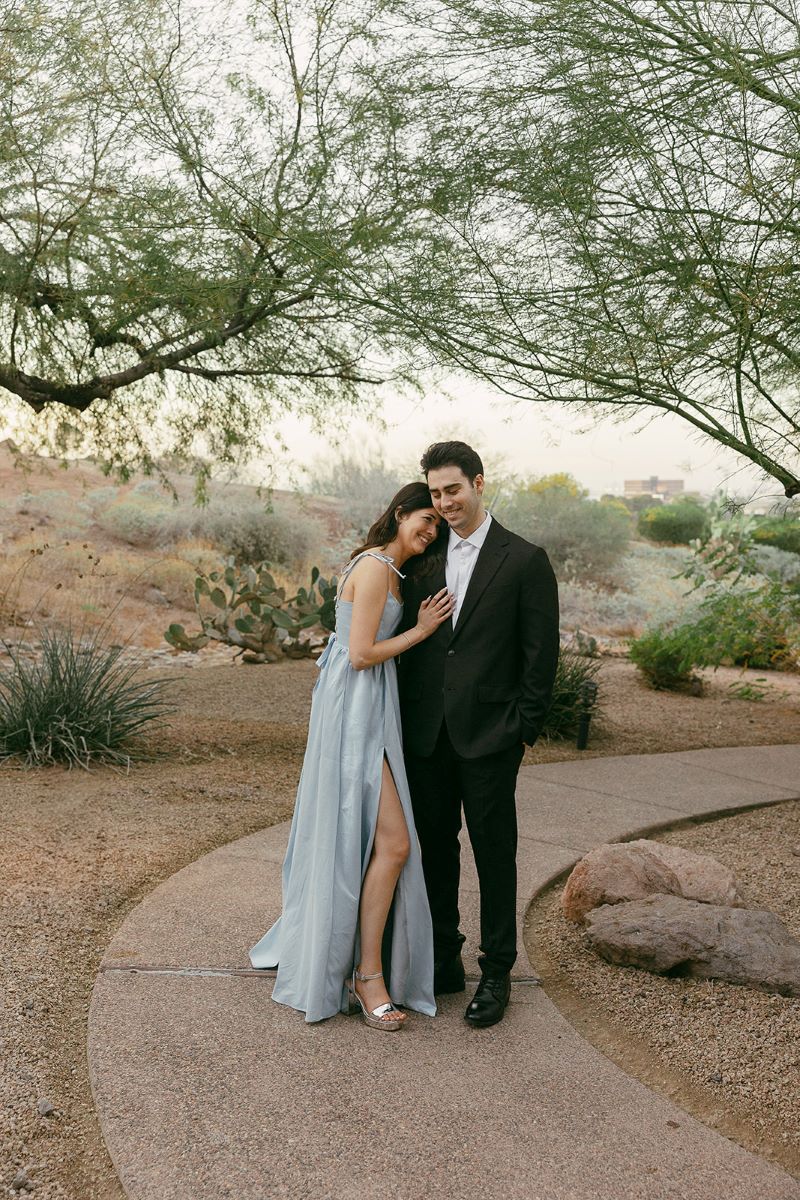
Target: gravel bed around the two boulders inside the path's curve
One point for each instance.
(730, 1054)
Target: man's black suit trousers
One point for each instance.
(441, 785)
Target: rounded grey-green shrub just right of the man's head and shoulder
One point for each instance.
(584, 538)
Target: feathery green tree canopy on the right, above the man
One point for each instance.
(617, 201)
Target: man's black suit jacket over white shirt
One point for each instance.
(491, 677)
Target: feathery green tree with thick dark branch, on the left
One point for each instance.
(182, 194)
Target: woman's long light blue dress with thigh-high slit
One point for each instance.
(354, 723)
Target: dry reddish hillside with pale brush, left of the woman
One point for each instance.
(81, 550)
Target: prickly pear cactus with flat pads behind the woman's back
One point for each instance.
(243, 607)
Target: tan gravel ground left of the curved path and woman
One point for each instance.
(79, 851)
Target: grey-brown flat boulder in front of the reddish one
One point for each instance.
(669, 934)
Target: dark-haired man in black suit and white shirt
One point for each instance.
(471, 697)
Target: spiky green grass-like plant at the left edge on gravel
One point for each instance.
(75, 705)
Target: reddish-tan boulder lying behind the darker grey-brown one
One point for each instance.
(633, 871)
